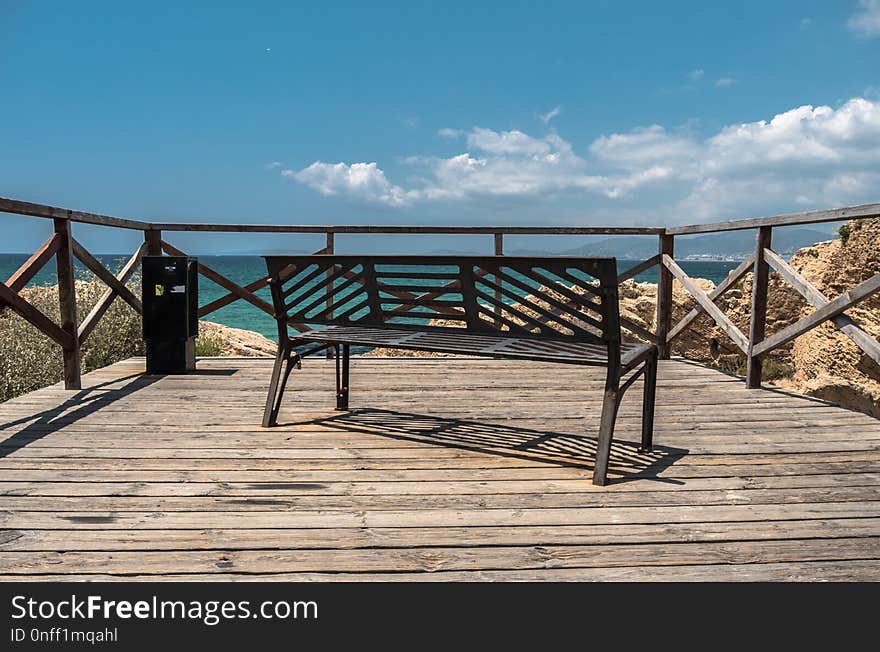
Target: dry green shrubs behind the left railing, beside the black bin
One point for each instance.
(29, 360)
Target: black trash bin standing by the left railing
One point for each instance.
(170, 293)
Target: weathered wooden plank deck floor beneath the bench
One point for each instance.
(446, 469)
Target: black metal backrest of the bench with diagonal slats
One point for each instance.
(564, 298)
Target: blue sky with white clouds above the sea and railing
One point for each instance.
(445, 112)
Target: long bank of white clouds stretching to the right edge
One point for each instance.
(807, 156)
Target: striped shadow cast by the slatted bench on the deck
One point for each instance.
(627, 463)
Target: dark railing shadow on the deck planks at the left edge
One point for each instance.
(79, 405)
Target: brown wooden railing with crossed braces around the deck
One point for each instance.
(71, 333)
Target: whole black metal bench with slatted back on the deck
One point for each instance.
(566, 311)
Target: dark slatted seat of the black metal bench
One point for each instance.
(496, 346)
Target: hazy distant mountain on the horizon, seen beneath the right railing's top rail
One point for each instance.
(727, 245)
